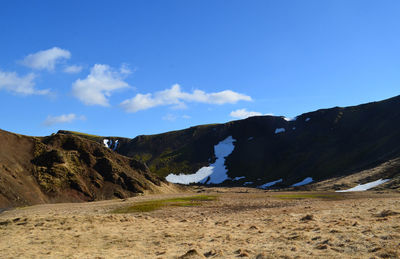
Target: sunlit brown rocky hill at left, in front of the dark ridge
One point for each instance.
(68, 168)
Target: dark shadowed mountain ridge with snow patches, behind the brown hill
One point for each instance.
(315, 146)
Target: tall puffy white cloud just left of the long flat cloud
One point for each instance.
(98, 85)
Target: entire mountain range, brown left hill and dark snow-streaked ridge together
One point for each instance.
(328, 149)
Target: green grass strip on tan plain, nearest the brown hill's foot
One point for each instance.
(147, 206)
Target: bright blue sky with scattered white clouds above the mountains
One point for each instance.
(125, 68)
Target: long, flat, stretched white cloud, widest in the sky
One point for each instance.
(177, 98)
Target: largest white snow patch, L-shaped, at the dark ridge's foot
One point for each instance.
(214, 173)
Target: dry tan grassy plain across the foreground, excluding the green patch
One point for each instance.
(241, 223)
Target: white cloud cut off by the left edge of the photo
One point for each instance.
(25, 85)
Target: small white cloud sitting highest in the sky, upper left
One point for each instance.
(46, 59)
